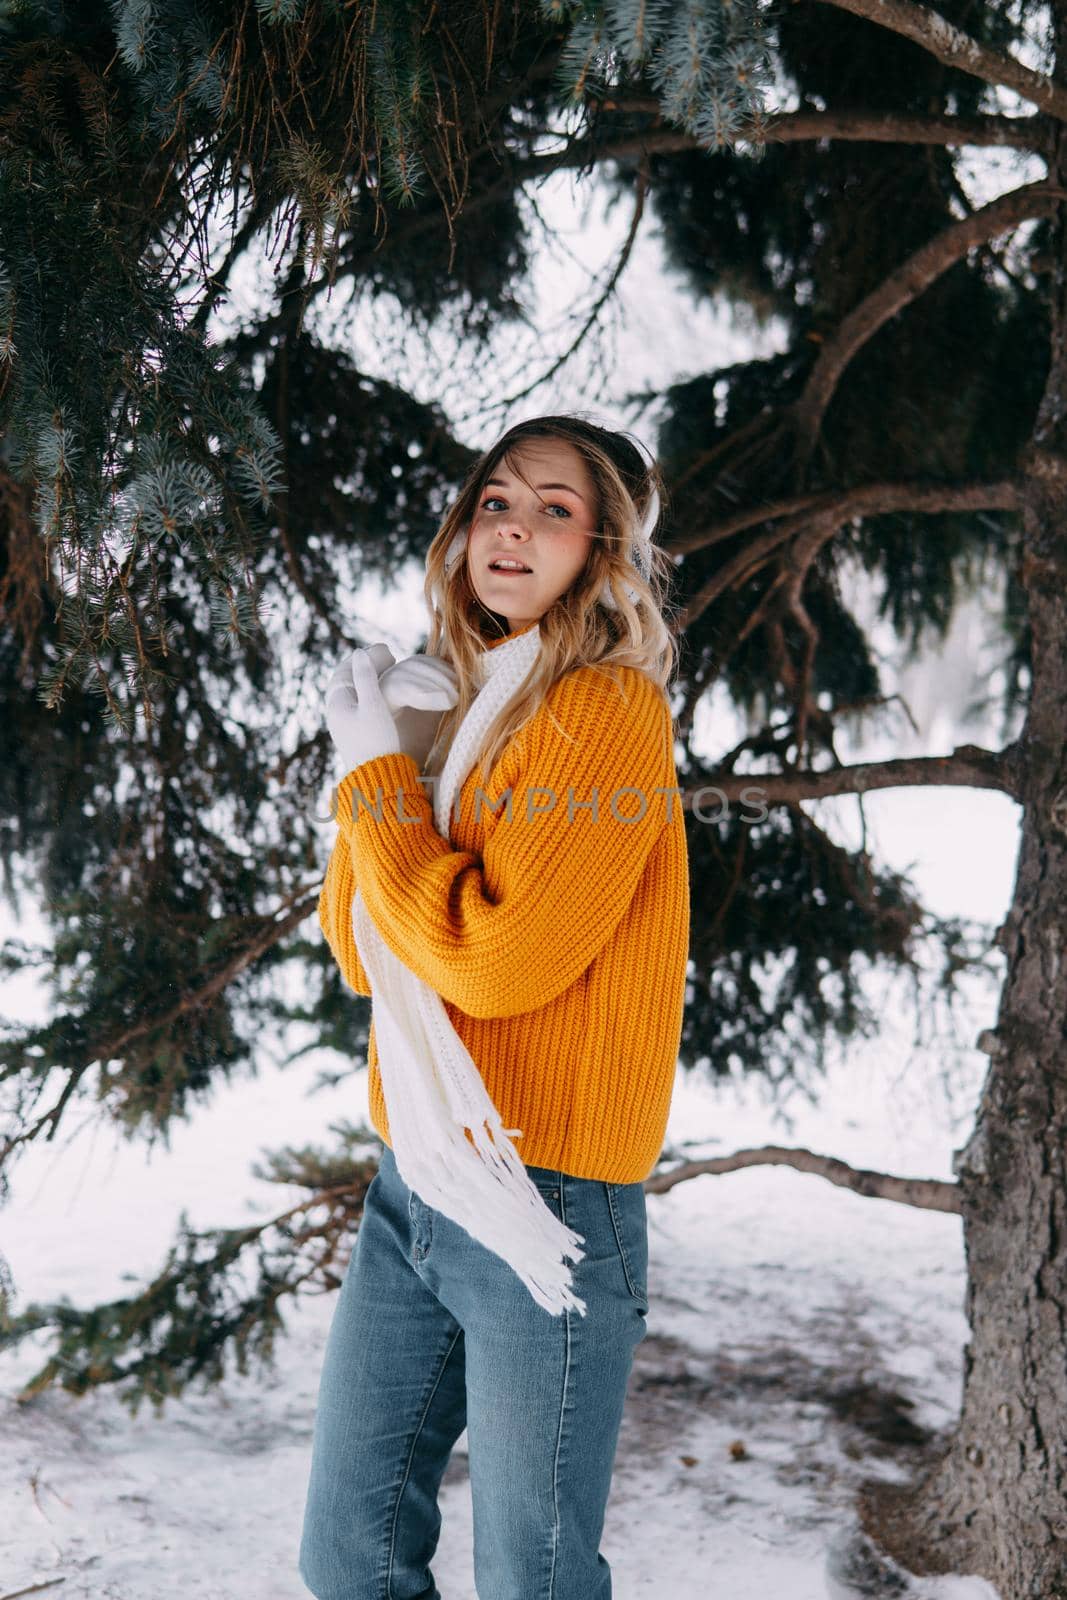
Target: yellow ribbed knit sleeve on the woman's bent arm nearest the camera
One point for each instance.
(508, 932)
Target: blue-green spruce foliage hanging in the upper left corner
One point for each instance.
(126, 126)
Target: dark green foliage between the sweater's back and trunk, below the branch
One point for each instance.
(789, 929)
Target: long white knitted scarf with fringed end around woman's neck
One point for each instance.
(434, 1090)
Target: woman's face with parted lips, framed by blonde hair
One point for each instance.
(546, 524)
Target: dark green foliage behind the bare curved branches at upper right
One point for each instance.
(943, 394)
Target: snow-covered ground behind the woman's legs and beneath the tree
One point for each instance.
(821, 1330)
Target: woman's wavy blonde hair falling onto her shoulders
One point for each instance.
(577, 631)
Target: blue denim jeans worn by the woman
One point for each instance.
(434, 1334)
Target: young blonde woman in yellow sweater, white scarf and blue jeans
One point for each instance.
(548, 918)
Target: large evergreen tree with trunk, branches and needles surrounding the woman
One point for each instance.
(156, 490)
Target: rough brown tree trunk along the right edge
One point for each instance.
(996, 1502)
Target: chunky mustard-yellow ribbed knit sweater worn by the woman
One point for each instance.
(556, 937)
